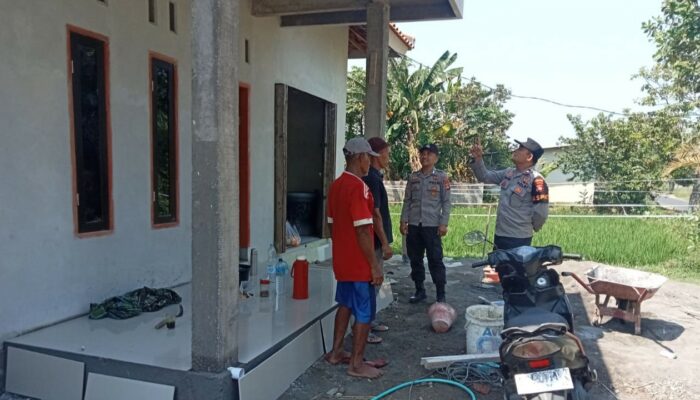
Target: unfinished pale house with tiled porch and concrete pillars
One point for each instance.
(163, 144)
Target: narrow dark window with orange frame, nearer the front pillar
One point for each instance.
(164, 179)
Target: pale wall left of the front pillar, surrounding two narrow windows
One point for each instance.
(46, 272)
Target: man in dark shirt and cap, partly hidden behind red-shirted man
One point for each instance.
(381, 217)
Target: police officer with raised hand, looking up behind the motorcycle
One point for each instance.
(523, 204)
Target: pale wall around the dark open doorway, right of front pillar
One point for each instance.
(311, 59)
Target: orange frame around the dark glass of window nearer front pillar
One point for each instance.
(156, 221)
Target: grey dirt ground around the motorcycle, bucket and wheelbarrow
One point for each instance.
(629, 366)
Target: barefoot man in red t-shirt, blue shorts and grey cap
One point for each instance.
(357, 272)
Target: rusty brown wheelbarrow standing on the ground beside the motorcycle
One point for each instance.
(629, 288)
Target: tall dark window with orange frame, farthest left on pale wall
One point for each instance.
(88, 75)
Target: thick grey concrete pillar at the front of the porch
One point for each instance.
(214, 181)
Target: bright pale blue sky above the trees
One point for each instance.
(574, 52)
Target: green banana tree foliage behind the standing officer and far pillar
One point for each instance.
(434, 104)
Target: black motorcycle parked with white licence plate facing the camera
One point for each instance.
(541, 356)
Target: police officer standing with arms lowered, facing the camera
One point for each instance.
(424, 218)
